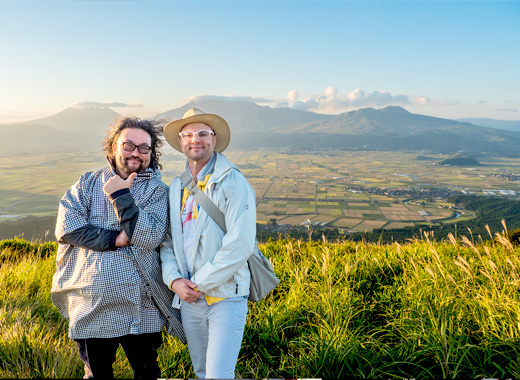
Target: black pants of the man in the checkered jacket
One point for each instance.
(99, 354)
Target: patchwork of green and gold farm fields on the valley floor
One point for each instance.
(353, 191)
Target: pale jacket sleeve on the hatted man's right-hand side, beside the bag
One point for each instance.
(239, 241)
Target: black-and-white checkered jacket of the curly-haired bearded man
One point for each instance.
(111, 293)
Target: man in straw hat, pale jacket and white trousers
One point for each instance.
(204, 265)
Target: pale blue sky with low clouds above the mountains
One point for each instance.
(449, 59)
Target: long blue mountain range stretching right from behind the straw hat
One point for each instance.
(389, 128)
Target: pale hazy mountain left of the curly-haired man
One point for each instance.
(69, 128)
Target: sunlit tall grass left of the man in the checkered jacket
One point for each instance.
(33, 336)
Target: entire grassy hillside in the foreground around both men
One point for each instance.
(424, 309)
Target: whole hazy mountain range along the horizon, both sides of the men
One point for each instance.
(254, 126)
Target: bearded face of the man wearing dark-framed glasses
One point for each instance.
(131, 162)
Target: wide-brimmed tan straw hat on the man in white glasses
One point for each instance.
(195, 115)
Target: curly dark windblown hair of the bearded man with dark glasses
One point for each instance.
(153, 127)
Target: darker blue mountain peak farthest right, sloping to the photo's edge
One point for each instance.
(394, 128)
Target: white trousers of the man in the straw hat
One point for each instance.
(214, 333)
